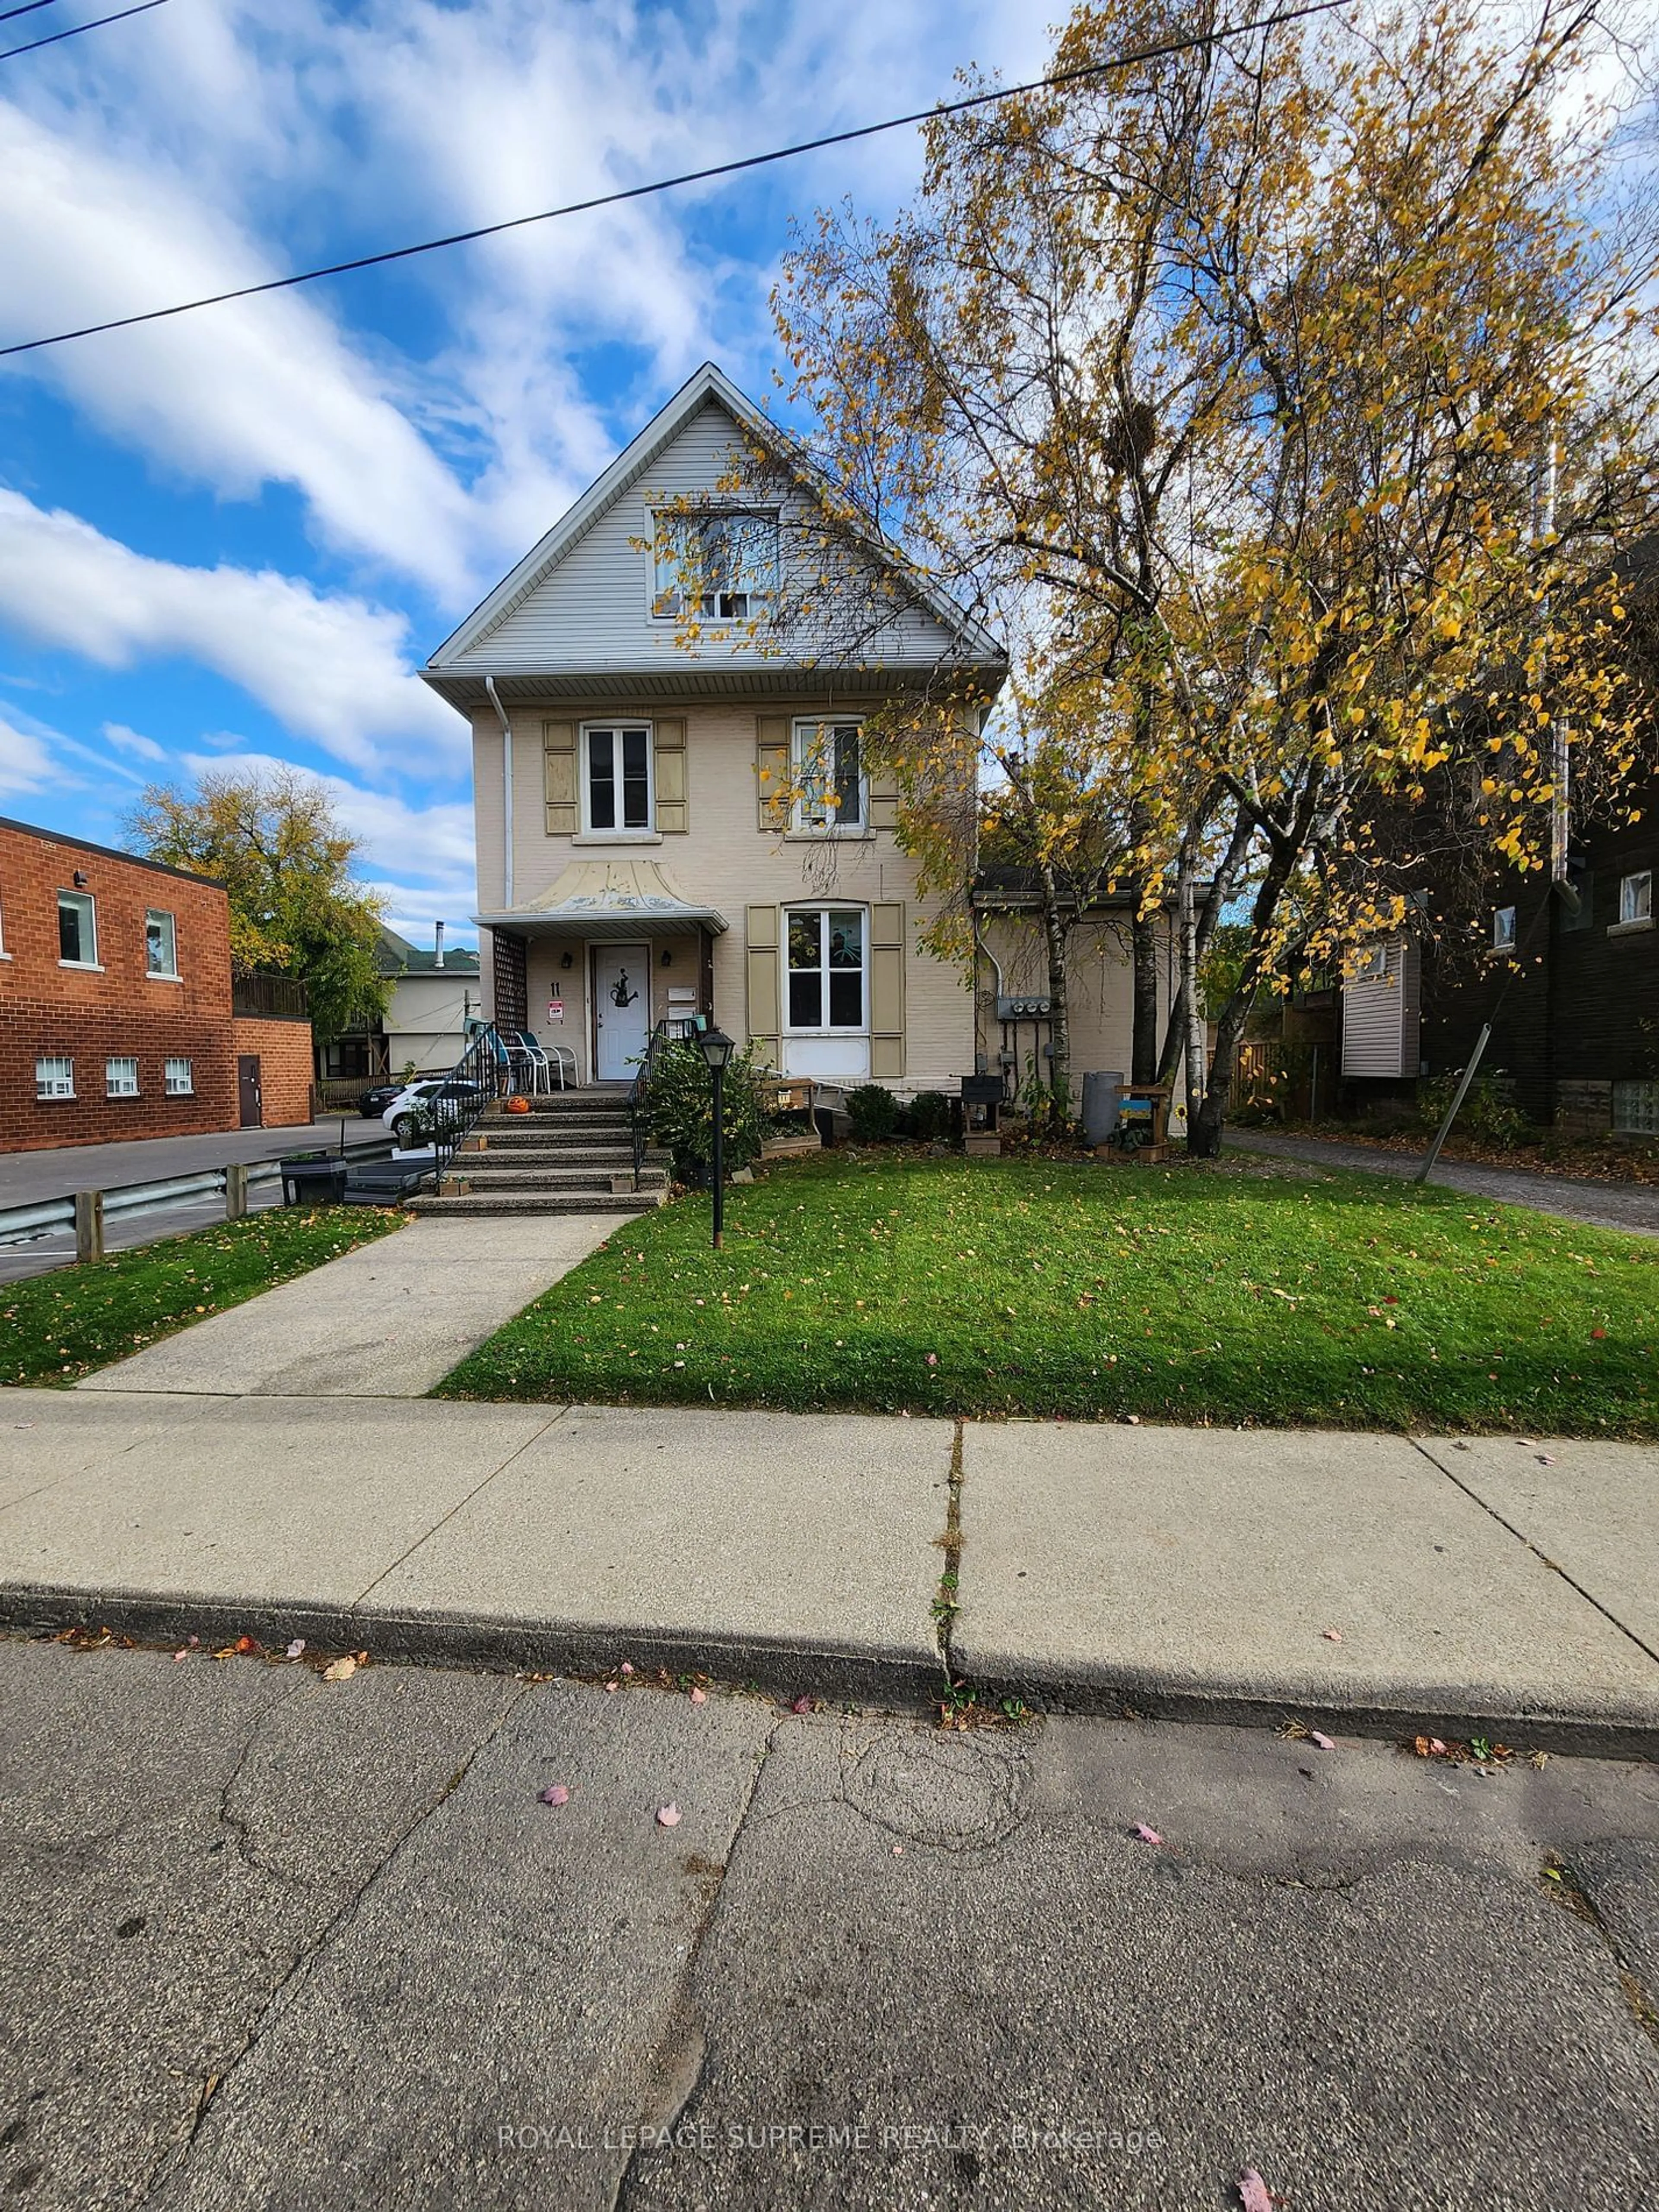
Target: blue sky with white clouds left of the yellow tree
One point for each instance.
(238, 534)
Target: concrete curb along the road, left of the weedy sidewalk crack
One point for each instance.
(459, 1640)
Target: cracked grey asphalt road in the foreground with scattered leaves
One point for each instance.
(282, 1943)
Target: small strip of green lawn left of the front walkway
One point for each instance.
(61, 1326)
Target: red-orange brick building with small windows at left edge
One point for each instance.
(116, 1005)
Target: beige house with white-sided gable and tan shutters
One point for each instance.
(669, 828)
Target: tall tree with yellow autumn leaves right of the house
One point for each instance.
(1286, 399)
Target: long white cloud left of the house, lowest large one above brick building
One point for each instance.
(331, 669)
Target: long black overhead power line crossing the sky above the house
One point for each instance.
(671, 185)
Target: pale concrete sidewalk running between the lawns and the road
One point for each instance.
(1474, 1589)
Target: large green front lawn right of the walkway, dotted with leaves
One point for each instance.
(1224, 1295)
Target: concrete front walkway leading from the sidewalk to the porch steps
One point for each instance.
(384, 1322)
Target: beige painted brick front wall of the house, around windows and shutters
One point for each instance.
(724, 862)
